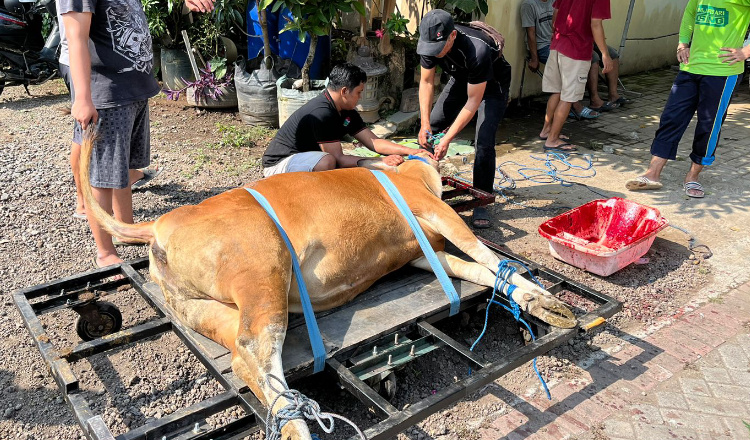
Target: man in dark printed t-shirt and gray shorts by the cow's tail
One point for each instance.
(107, 58)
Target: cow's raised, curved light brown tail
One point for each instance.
(138, 233)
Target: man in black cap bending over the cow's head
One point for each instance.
(480, 78)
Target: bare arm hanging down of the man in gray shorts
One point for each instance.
(77, 27)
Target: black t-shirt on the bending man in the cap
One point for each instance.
(474, 59)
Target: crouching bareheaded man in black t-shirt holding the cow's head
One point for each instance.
(310, 140)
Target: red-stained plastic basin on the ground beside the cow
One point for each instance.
(603, 236)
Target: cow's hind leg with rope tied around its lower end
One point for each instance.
(262, 328)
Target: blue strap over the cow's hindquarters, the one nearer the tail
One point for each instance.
(316, 340)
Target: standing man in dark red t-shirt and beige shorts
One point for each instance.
(577, 26)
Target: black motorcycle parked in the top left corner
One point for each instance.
(26, 58)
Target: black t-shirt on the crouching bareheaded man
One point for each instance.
(317, 122)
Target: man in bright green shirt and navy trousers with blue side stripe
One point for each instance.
(711, 60)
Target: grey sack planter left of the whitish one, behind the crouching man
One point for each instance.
(256, 95)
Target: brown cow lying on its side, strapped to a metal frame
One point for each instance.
(225, 270)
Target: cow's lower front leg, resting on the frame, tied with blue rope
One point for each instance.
(537, 302)
